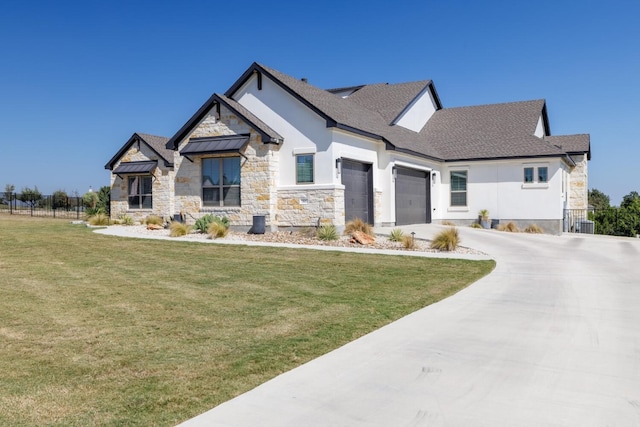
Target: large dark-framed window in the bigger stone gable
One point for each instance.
(221, 181)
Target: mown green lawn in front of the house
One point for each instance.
(100, 330)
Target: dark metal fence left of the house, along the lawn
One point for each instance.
(54, 206)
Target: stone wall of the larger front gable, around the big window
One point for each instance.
(259, 174)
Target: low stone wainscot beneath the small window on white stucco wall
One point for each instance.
(309, 207)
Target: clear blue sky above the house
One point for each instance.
(77, 78)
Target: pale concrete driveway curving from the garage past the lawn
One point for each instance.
(550, 338)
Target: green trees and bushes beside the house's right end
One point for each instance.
(615, 221)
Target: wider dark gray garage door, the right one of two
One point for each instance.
(413, 197)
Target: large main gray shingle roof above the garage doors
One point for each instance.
(493, 131)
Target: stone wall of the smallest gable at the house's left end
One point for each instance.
(162, 186)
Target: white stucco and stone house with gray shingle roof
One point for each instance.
(278, 147)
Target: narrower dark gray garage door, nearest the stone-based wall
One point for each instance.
(357, 179)
